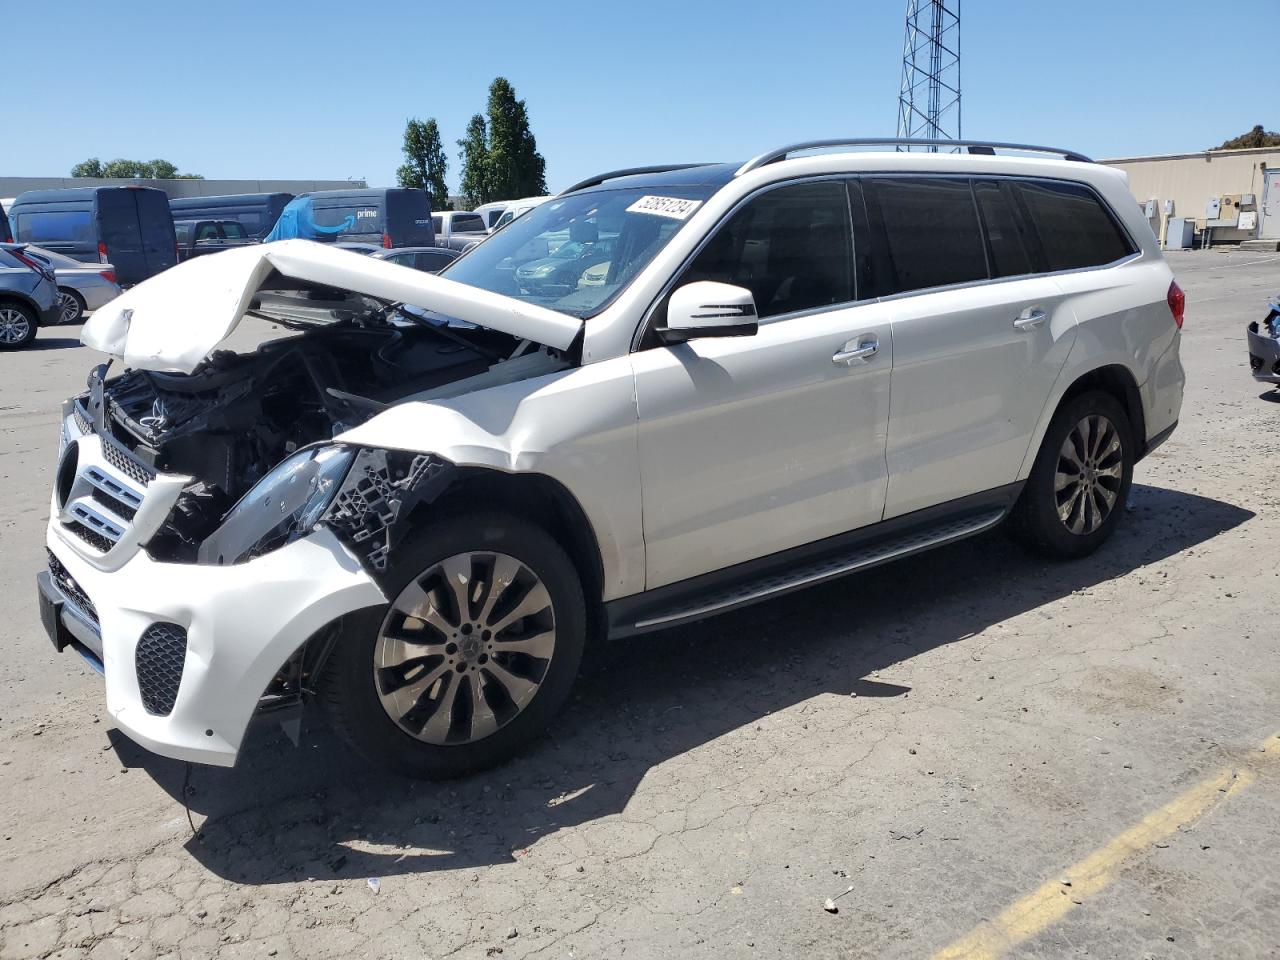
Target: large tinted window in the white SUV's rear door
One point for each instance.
(931, 227)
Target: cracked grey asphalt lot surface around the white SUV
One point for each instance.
(934, 742)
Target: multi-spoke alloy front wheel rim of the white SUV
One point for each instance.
(465, 648)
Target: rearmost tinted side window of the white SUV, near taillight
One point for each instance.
(1073, 226)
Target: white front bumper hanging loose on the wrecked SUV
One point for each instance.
(241, 624)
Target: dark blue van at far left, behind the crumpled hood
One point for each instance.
(127, 227)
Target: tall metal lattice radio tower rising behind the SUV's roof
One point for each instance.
(929, 106)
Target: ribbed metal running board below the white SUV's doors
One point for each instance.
(816, 572)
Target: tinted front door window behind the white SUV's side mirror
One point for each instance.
(792, 248)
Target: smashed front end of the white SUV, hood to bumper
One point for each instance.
(221, 509)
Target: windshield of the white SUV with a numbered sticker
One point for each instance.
(600, 239)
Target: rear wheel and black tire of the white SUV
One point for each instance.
(1080, 483)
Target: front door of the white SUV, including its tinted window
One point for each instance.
(755, 445)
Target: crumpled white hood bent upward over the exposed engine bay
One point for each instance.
(175, 321)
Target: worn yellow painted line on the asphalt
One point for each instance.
(1054, 900)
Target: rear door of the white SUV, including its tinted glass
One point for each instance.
(980, 336)
